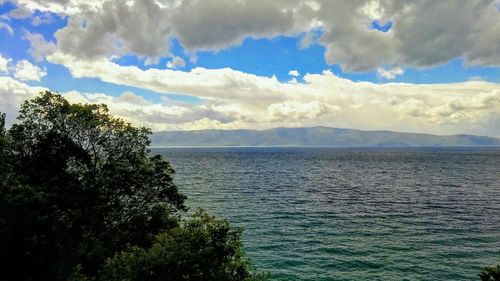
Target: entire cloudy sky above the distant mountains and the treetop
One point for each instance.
(414, 66)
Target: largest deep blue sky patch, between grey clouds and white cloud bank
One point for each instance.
(262, 57)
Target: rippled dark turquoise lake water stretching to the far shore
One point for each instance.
(353, 214)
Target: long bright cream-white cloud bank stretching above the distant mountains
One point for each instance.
(234, 99)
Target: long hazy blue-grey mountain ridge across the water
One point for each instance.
(315, 136)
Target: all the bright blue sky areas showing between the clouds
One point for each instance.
(265, 57)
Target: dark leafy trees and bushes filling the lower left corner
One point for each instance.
(81, 198)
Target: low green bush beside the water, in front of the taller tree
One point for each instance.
(203, 248)
